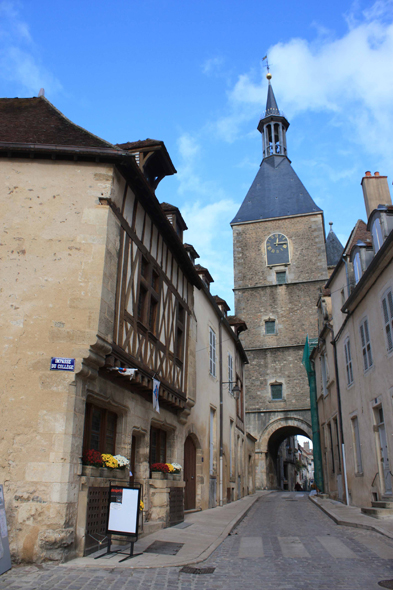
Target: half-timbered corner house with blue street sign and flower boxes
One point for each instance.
(99, 276)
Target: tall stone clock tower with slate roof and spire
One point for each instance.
(280, 264)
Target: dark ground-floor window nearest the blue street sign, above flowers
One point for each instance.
(100, 429)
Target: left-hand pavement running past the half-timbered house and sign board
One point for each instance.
(199, 535)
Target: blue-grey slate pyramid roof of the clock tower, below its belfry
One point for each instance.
(276, 191)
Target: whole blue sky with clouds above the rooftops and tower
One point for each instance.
(191, 73)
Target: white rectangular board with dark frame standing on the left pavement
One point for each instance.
(123, 510)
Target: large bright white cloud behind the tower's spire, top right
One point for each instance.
(349, 78)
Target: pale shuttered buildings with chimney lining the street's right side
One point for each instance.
(355, 376)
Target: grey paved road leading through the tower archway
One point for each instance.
(284, 543)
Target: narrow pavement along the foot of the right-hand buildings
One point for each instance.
(352, 516)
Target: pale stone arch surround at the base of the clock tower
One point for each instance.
(269, 442)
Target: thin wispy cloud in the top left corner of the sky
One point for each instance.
(20, 61)
